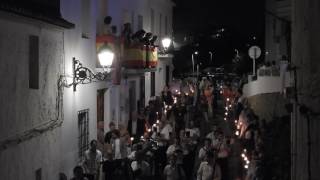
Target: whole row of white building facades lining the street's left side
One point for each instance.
(46, 127)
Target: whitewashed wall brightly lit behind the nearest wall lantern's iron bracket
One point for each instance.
(85, 97)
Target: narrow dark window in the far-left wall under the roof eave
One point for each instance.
(34, 62)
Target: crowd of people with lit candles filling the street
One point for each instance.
(176, 137)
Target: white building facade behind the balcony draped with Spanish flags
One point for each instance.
(139, 85)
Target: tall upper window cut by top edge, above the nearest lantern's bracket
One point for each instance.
(85, 17)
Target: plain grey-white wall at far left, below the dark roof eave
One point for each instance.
(22, 108)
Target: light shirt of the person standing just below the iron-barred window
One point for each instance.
(92, 161)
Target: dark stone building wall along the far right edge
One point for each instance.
(305, 56)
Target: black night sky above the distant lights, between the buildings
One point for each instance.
(242, 19)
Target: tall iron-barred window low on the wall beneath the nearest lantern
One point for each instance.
(83, 127)
